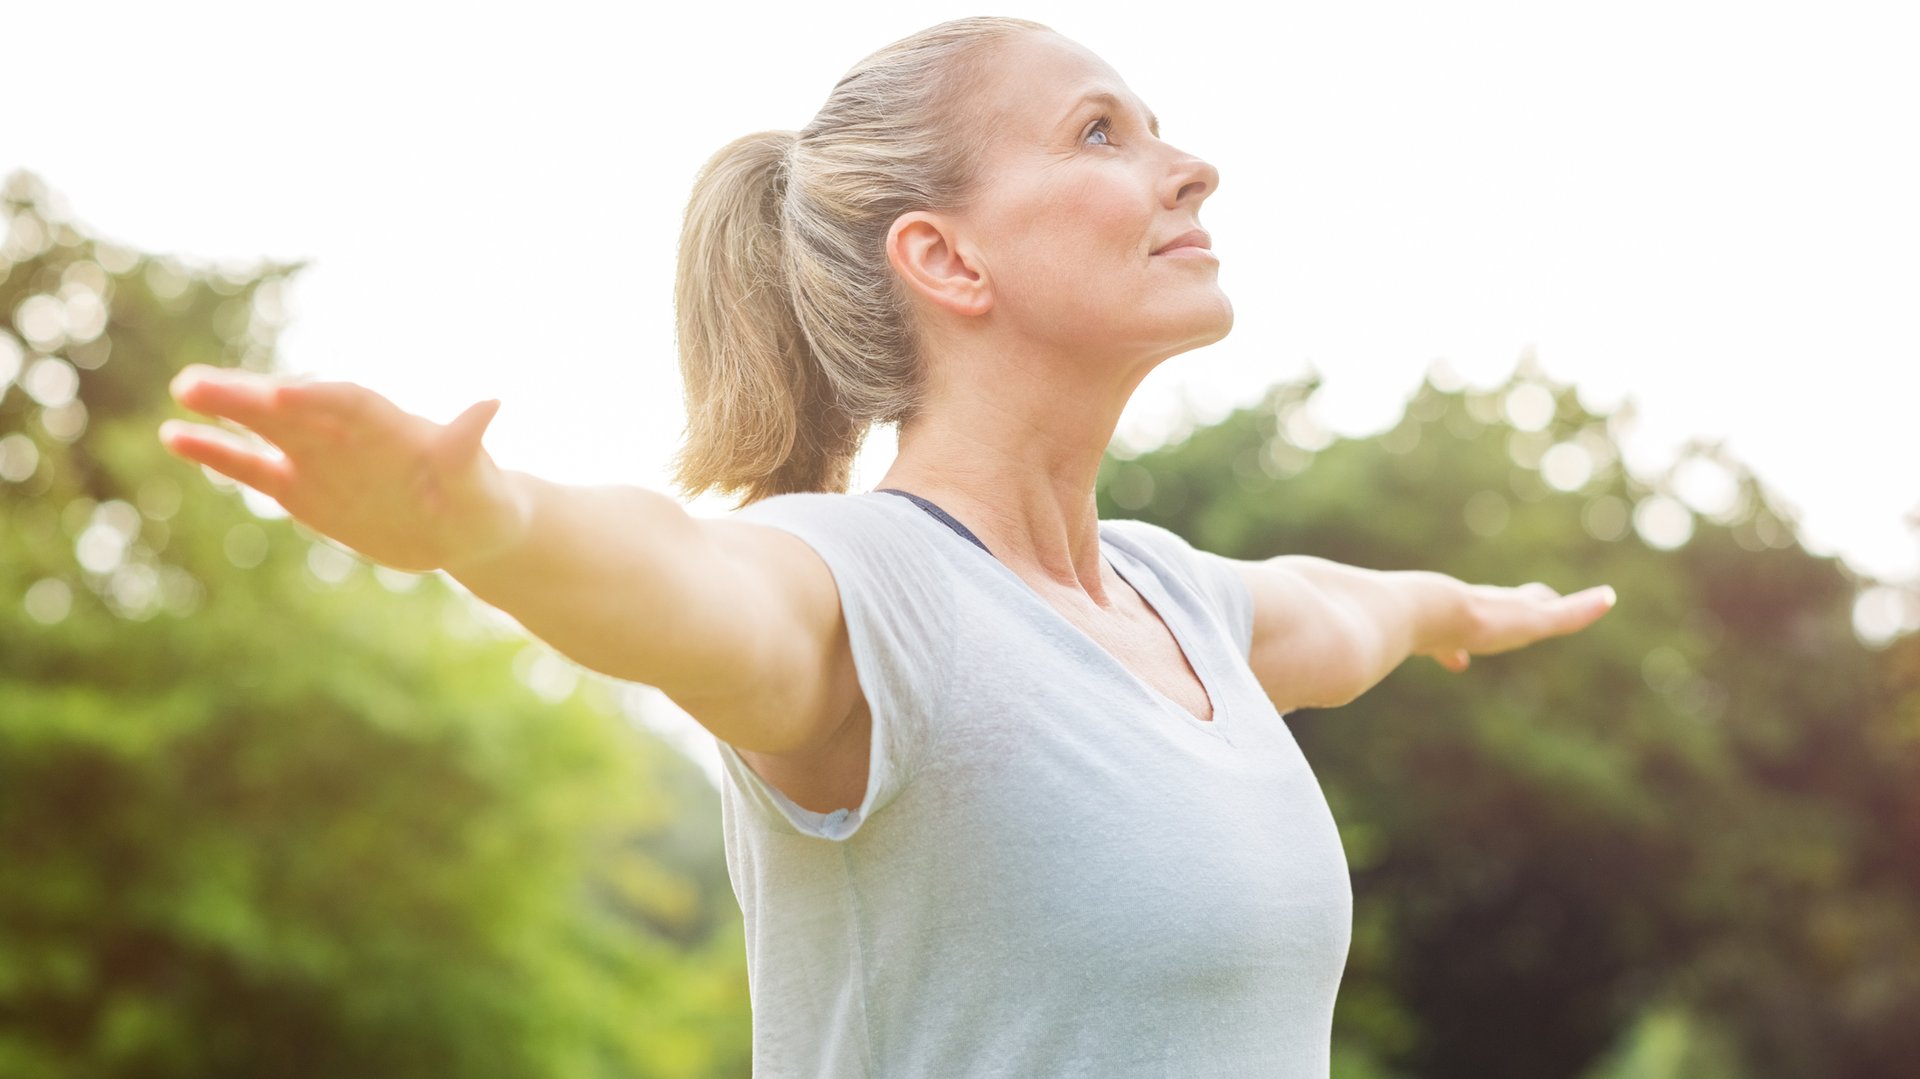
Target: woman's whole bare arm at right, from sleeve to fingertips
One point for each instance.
(1326, 633)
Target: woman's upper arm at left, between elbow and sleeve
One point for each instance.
(769, 665)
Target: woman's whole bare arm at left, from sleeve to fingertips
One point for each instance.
(738, 623)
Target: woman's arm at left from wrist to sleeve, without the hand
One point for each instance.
(738, 623)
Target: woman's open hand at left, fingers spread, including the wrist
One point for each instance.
(398, 489)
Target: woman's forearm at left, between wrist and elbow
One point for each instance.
(598, 573)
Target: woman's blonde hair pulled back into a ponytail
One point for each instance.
(796, 337)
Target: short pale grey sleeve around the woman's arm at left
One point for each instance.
(900, 613)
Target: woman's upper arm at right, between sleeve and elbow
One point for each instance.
(1314, 648)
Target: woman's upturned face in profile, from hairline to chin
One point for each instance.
(1078, 197)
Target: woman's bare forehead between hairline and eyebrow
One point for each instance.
(1040, 82)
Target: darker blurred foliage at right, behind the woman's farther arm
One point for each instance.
(1685, 842)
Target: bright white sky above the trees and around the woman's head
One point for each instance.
(1708, 208)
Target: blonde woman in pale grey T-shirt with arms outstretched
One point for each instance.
(1007, 786)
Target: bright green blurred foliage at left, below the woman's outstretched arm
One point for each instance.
(268, 811)
